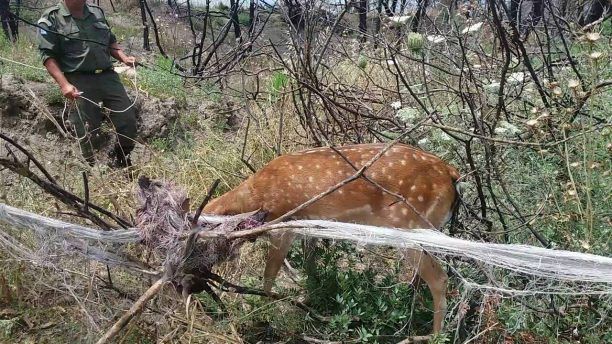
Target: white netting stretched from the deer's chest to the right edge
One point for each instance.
(550, 271)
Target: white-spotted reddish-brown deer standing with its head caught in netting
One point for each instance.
(426, 183)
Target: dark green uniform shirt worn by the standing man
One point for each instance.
(77, 44)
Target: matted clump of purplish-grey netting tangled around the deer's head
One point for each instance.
(163, 224)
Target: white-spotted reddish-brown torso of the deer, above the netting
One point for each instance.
(424, 180)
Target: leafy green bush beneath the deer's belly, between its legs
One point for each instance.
(363, 301)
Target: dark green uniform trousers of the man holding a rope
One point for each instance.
(105, 87)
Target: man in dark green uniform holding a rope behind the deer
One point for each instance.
(76, 44)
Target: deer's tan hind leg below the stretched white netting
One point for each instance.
(430, 271)
